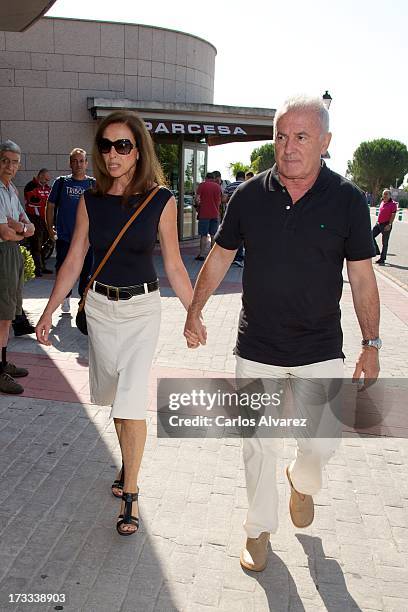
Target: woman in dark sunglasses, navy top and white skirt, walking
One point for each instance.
(123, 304)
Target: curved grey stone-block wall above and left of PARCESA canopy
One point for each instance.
(48, 72)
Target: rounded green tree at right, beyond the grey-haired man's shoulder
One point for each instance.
(377, 164)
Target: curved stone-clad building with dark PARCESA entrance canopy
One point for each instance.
(60, 76)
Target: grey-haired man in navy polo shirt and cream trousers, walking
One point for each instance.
(303, 220)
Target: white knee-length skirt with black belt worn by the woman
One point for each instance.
(123, 336)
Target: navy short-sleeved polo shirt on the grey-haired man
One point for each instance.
(294, 254)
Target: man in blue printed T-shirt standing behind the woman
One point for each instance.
(62, 208)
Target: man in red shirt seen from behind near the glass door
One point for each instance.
(208, 201)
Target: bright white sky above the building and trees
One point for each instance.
(267, 51)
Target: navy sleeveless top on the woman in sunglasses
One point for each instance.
(131, 263)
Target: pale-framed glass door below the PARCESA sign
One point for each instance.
(194, 169)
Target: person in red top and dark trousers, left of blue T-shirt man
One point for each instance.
(36, 194)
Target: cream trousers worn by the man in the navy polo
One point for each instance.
(260, 453)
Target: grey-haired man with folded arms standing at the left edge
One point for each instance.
(14, 226)
